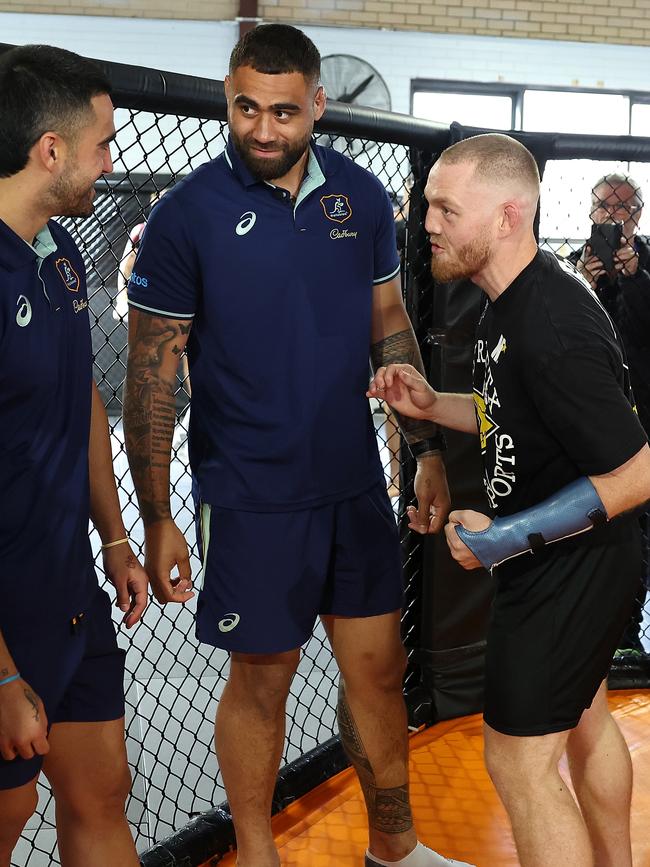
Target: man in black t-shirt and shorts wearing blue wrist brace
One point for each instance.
(564, 453)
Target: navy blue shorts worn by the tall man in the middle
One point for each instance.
(268, 575)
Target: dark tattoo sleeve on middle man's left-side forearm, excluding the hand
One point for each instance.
(150, 413)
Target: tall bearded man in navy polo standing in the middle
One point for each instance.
(276, 264)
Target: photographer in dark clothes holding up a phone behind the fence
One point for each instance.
(616, 263)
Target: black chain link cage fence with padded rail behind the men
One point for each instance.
(167, 125)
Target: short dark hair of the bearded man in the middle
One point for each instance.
(277, 48)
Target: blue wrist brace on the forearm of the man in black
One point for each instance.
(574, 509)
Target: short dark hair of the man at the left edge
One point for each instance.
(42, 88)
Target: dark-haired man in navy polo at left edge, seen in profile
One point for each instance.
(61, 672)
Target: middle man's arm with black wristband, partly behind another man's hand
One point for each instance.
(393, 342)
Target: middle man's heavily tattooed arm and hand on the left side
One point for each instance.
(155, 345)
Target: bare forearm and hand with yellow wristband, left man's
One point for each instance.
(120, 564)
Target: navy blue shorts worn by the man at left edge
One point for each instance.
(78, 672)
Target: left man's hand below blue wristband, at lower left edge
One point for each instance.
(23, 722)
